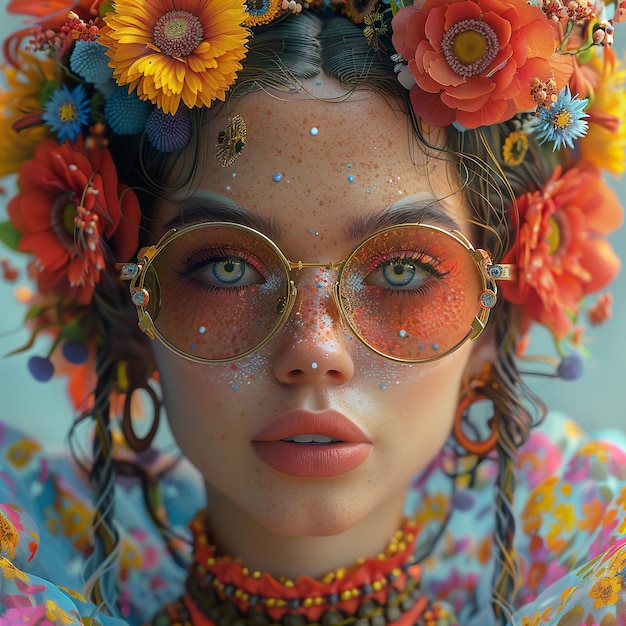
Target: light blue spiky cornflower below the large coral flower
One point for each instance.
(563, 122)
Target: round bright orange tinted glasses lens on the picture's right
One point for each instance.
(411, 293)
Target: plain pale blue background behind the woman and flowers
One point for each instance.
(595, 401)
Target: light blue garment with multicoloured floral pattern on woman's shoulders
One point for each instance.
(571, 535)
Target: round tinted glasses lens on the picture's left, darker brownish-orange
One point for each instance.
(217, 292)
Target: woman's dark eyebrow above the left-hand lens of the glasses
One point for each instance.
(216, 208)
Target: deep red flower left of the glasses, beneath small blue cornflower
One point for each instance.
(74, 217)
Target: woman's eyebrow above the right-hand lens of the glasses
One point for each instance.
(425, 210)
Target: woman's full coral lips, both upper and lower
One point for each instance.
(312, 460)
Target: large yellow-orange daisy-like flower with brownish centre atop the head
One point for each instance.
(176, 50)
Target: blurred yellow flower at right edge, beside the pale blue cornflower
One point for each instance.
(605, 145)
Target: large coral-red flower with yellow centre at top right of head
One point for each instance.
(475, 60)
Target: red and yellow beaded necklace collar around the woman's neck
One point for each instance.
(379, 591)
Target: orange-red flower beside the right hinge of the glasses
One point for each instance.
(560, 250)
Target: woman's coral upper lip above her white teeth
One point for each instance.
(301, 422)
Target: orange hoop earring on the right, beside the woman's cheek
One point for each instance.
(479, 389)
